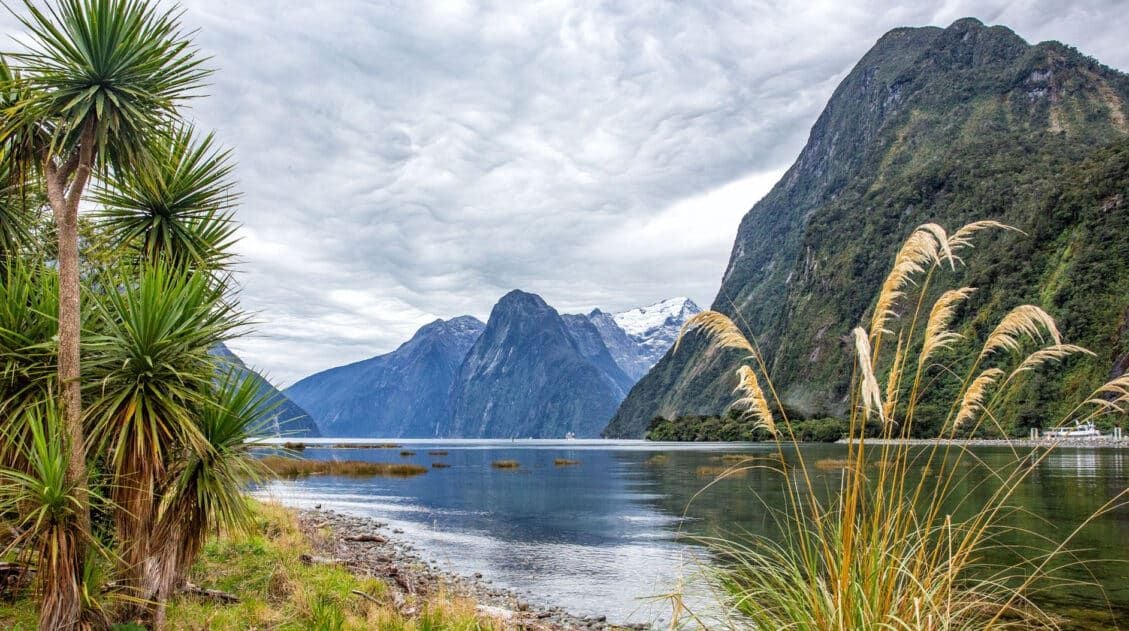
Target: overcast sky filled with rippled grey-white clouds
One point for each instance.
(406, 161)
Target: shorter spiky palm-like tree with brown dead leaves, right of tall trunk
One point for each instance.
(151, 374)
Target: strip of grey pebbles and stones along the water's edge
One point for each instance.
(369, 548)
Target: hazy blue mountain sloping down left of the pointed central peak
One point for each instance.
(405, 393)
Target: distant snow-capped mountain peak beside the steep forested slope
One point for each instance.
(640, 338)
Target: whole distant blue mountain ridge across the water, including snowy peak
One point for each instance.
(538, 373)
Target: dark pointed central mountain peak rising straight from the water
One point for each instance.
(528, 376)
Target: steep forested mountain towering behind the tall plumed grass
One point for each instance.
(933, 125)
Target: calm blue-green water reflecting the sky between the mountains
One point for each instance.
(608, 536)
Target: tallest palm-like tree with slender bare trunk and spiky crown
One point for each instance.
(94, 82)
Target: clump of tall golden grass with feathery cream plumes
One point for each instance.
(886, 553)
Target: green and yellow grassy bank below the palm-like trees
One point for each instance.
(277, 591)
